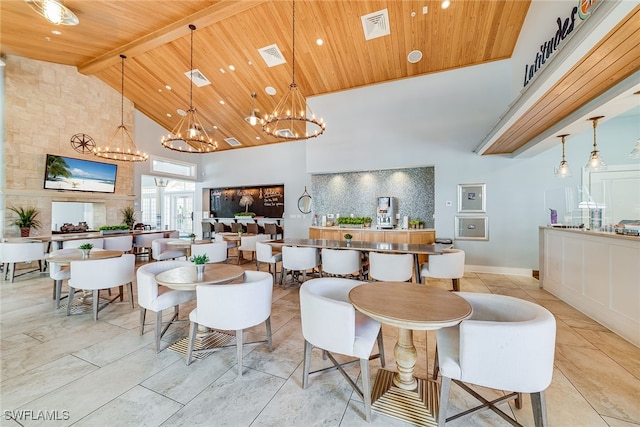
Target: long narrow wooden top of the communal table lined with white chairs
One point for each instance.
(403, 248)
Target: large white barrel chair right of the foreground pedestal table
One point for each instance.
(506, 344)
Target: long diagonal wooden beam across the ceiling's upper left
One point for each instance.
(215, 13)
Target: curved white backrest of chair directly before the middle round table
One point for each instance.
(236, 306)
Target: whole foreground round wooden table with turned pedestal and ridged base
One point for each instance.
(409, 307)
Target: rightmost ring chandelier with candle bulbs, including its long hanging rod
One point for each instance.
(289, 119)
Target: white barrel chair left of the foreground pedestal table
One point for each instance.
(331, 324)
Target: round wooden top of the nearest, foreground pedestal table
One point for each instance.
(410, 305)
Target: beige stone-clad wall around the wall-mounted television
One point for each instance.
(45, 104)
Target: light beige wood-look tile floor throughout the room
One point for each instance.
(88, 373)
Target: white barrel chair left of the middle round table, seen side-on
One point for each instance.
(157, 298)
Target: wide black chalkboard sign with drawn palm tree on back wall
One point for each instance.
(267, 201)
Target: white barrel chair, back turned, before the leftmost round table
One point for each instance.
(102, 274)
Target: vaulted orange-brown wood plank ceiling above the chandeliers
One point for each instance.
(155, 37)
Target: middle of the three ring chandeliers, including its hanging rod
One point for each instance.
(189, 135)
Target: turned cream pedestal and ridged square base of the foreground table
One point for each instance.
(400, 394)
